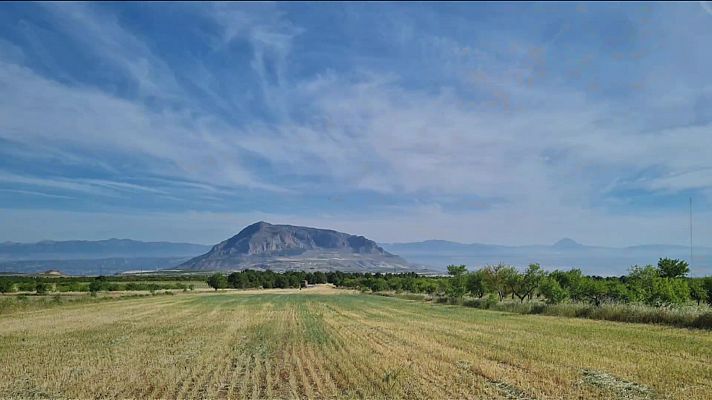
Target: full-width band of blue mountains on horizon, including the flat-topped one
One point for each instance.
(281, 247)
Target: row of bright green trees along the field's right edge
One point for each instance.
(664, 284)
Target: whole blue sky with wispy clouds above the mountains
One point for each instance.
(502, 123)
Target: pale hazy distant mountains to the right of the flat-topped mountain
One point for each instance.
(565, 253)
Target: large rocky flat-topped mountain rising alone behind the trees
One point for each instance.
(285, 247)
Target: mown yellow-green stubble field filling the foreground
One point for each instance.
(327, 343)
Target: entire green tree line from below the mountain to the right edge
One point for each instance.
(664, 284)
